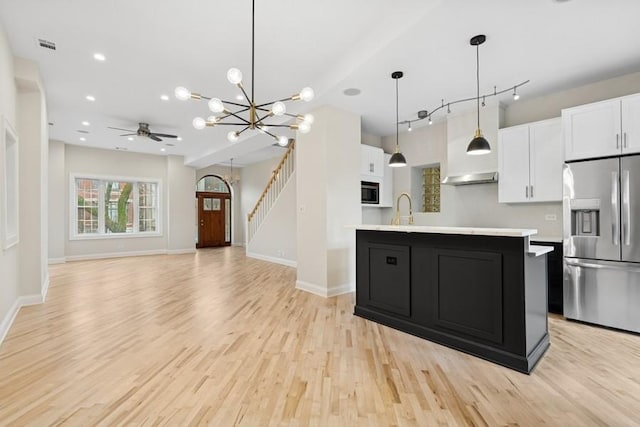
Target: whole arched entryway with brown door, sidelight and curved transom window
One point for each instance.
(214, 212)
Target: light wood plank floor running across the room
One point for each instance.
(216, 338)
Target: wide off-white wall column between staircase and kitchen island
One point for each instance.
(328, 199)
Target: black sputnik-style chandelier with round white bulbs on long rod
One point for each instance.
(250, 116)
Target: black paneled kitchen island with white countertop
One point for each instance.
(479, 290)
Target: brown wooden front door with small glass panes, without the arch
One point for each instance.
(214, 219)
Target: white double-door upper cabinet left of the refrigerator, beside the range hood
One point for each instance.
(530, 162)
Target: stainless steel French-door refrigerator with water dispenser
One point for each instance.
(601, 222)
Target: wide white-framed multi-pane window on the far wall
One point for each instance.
(109, 207)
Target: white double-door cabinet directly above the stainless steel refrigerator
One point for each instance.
(601, 129)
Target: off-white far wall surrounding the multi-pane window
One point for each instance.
(176, 197)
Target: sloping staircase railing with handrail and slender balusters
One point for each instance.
(267, 199)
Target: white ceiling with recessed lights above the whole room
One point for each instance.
(330, 45)
